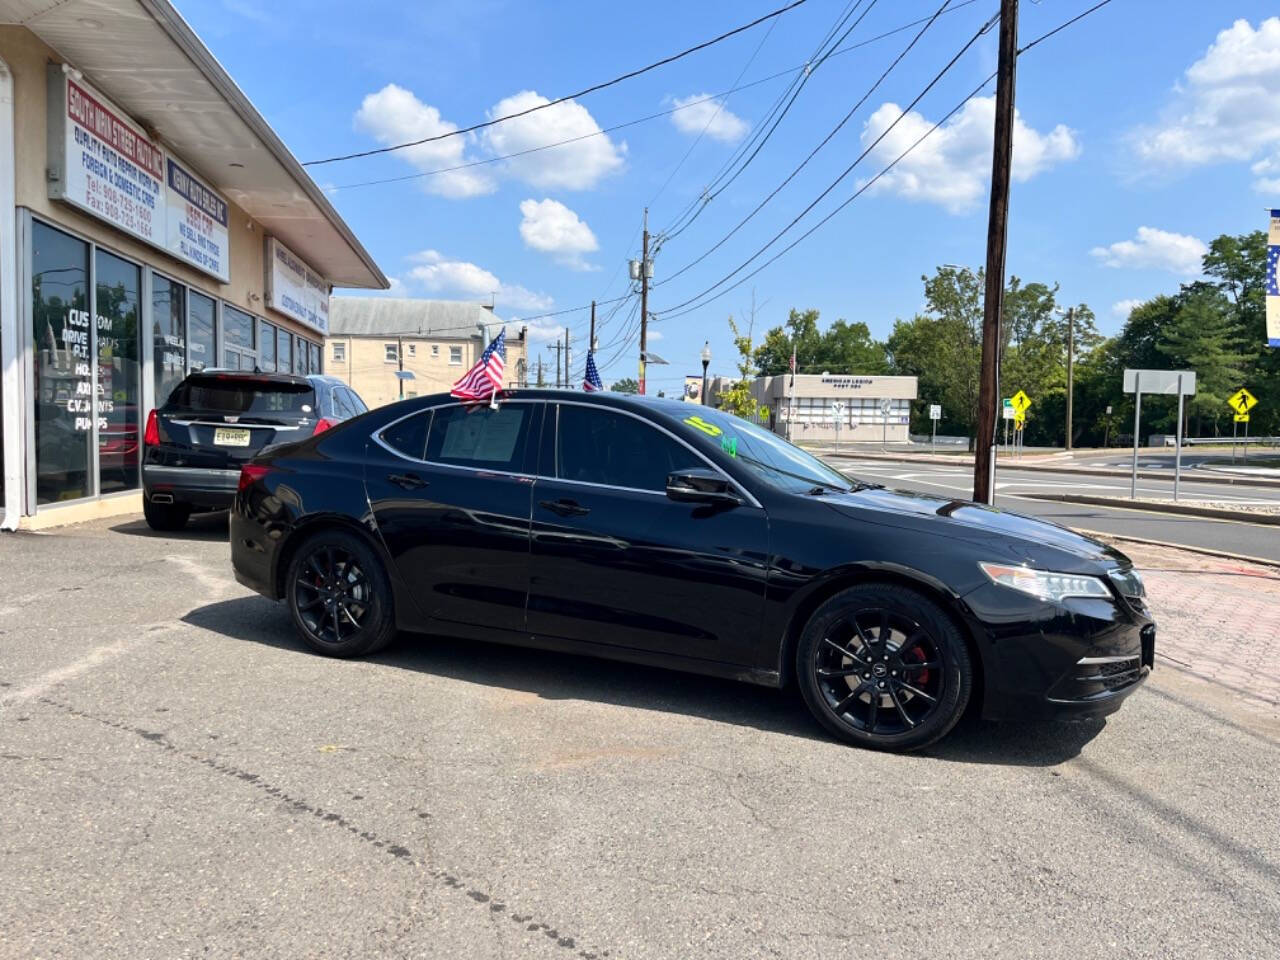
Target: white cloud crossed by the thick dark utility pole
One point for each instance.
(953, 166)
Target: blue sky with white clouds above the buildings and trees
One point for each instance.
(1145, 135)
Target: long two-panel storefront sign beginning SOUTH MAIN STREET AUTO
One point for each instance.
(106, 166)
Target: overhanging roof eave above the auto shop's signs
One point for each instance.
(150, 63)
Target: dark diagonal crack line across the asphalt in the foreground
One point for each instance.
(400, 853)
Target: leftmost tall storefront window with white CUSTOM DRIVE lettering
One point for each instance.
(63, 378)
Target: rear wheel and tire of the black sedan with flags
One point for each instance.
(340, 596)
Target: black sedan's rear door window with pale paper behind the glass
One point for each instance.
(481, 437)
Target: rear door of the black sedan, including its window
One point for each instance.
(451, 493)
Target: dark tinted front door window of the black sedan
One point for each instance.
(615, 450)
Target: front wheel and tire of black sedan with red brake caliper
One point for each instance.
(897, 691)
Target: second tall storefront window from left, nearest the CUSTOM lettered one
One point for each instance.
(120, 372)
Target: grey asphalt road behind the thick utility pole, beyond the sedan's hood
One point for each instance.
(1014, 490)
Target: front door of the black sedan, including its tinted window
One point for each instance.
(615, 561)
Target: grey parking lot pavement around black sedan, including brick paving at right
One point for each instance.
(182, 779)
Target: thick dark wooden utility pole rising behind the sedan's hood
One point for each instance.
(998, 235)
